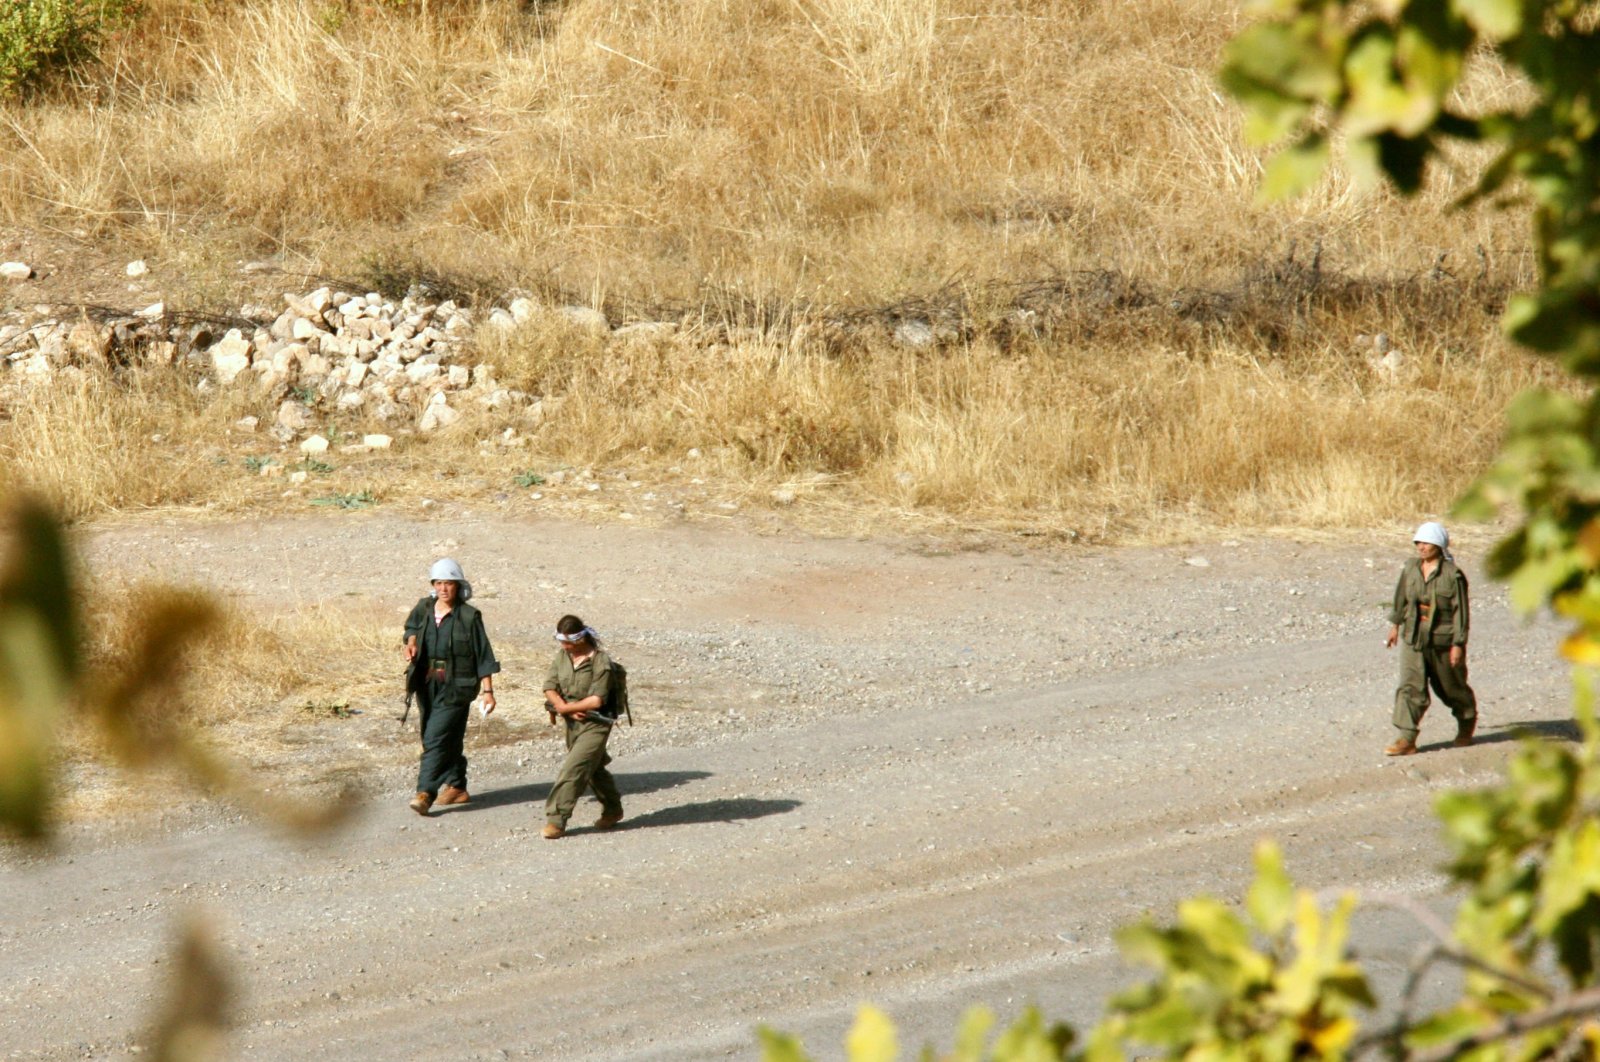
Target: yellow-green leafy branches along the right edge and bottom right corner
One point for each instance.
(1278, 981)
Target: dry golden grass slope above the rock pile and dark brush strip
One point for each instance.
(836, 151)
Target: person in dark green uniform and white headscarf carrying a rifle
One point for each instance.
(452, 661)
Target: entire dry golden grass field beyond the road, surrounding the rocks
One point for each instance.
(1129, 346)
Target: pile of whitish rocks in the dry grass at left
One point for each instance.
(393, 362)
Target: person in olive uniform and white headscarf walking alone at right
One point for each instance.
(1430, 623)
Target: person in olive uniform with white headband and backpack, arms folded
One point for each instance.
(578, 689)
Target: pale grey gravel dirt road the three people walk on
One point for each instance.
(897, 772)
